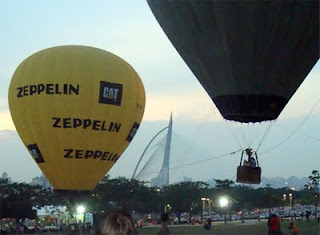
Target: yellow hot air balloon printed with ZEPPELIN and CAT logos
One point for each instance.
(76, 109)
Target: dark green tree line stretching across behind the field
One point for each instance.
(18, 200)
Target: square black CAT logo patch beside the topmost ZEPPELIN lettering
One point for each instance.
(110, 93)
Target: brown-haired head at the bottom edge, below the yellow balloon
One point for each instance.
(117, 224)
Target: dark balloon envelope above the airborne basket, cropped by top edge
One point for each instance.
(250, 56)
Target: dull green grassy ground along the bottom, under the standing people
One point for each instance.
(248, 228)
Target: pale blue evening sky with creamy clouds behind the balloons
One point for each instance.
(204, 141)
